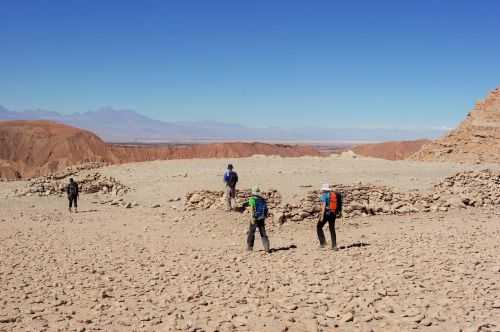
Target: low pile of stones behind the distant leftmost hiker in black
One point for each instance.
(89, 183)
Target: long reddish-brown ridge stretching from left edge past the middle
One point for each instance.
(36, 148)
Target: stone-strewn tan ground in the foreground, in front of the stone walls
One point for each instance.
(149, 270)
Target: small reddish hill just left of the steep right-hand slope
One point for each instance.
(397, 150)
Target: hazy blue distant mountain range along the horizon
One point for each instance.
(128, 126)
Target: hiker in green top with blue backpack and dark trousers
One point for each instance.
(259, 213)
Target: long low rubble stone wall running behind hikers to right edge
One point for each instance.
(467, 189)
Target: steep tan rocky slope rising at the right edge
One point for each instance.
(477, 139)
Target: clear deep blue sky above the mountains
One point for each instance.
(416, 64)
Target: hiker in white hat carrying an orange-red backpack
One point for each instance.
(331, 207)
